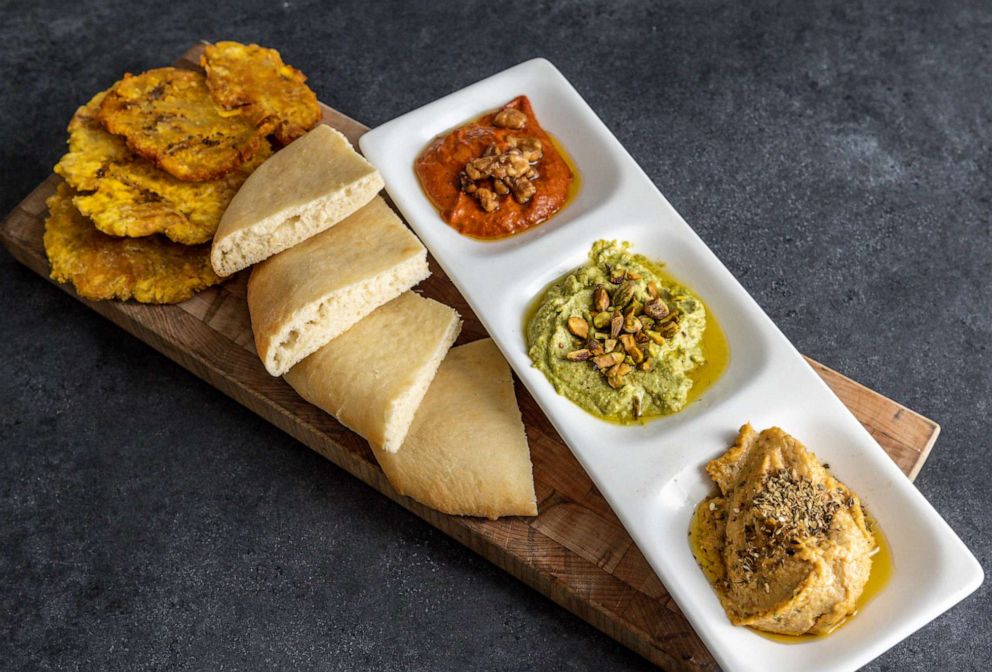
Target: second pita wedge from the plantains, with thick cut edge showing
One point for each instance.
(304, 297)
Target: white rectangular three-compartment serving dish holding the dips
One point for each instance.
(652, 475)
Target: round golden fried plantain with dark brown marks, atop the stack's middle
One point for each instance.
(168, 116)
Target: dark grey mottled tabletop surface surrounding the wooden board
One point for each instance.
(835, 155)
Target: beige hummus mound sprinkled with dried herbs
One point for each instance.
(785, 544)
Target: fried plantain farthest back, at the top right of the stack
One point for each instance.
(255, 80)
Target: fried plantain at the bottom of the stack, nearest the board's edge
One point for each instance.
(150, 270)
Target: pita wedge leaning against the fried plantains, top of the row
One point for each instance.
(306, 188)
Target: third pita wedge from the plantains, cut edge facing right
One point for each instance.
(373, 376)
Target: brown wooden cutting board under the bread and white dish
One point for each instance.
(575, 551)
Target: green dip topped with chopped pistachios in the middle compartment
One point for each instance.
(618, 336)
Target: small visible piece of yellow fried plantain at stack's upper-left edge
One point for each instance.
(91, 148)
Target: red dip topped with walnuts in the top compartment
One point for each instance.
(496, 176)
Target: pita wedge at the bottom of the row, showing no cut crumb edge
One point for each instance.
(466, 452)
